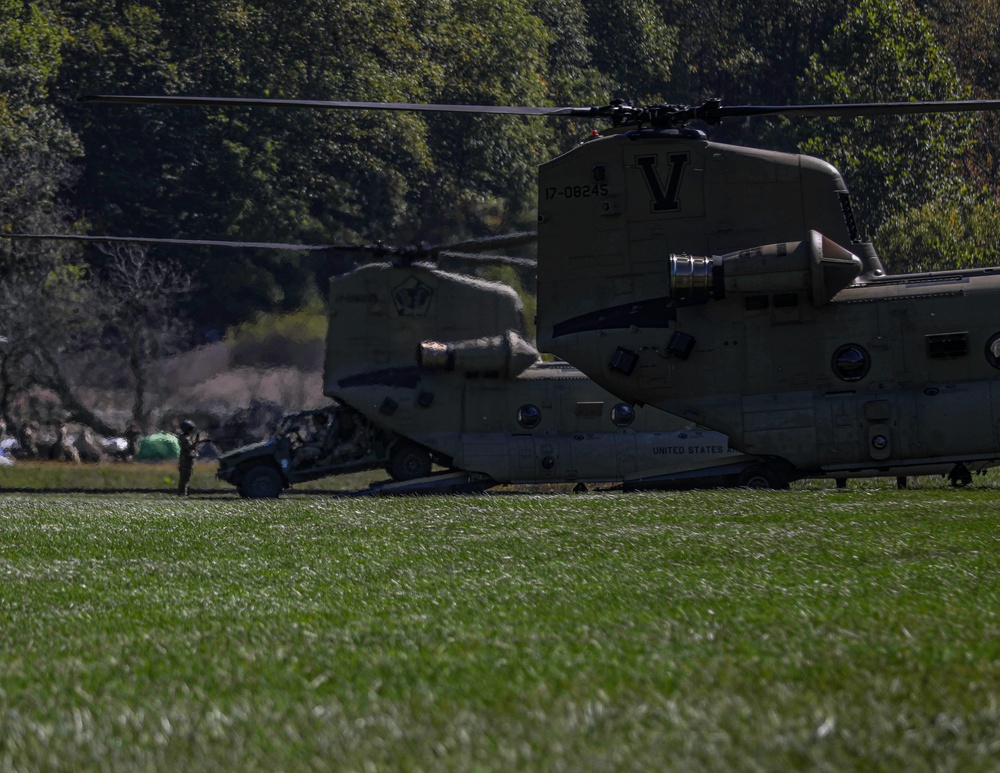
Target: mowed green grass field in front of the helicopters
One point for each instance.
(811, 629)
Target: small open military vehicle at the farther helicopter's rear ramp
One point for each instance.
(309, 445)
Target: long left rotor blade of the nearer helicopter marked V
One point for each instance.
(332, 105)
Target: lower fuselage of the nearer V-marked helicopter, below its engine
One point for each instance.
(891, 374)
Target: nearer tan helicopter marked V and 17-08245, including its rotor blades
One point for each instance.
(730, 286)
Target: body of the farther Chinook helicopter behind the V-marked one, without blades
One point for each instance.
(442, 359)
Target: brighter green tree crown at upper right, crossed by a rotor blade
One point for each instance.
(877, 156)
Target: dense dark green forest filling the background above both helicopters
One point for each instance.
(336, 177)
